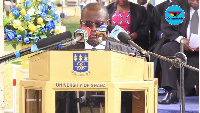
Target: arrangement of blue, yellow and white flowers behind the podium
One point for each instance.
(31, 21)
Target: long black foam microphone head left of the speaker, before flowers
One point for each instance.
(53, 39)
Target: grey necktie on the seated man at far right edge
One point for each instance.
(194, 23)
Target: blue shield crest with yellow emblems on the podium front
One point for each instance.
(80, 62)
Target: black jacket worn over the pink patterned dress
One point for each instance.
(139, 22)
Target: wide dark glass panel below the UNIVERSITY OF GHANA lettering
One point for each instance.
(80, 101)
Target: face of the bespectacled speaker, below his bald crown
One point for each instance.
(93, 20)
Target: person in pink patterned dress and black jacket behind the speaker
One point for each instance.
(132, 18)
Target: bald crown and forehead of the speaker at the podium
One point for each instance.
(95, 8)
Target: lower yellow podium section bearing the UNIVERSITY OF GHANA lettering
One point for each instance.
(112, 94)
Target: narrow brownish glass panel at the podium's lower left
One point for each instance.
(33, 101)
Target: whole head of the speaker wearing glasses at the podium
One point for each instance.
(93, 16)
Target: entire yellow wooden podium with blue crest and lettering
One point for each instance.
(107, 71)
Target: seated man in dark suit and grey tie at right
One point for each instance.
(174, 34)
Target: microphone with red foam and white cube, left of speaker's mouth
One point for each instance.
(82, 34)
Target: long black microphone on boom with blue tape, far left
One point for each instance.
(41, 44)
